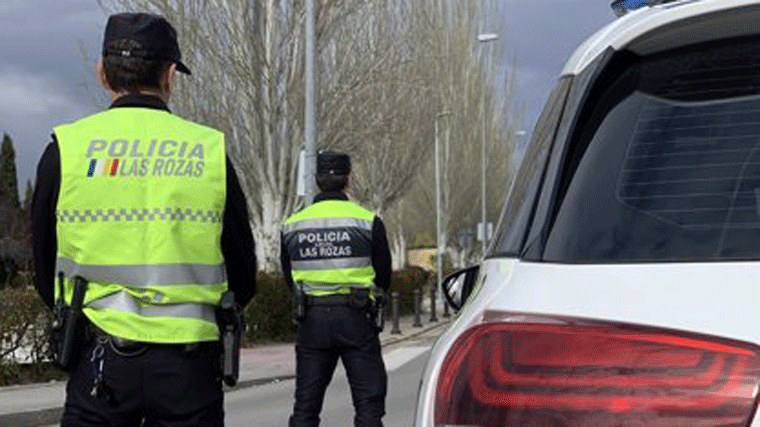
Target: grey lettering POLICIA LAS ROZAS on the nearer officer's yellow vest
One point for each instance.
(151, 158)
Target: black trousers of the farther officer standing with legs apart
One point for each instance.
(324, 335)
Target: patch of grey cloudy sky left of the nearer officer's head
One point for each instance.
(43, 78)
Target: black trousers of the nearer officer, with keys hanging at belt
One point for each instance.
(166, 385)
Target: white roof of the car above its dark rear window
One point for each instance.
(661, 27)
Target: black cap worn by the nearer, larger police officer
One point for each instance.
(154, 36)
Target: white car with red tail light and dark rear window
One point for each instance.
(622, 287)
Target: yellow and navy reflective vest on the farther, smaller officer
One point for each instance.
(330, 247)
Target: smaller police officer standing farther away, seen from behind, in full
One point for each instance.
(337, 252)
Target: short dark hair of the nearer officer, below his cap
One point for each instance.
(130, 73)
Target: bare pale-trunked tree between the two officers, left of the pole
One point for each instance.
(247, 62)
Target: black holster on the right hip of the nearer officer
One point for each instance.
(230, 323)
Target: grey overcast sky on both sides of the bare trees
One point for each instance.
(45, 81)
